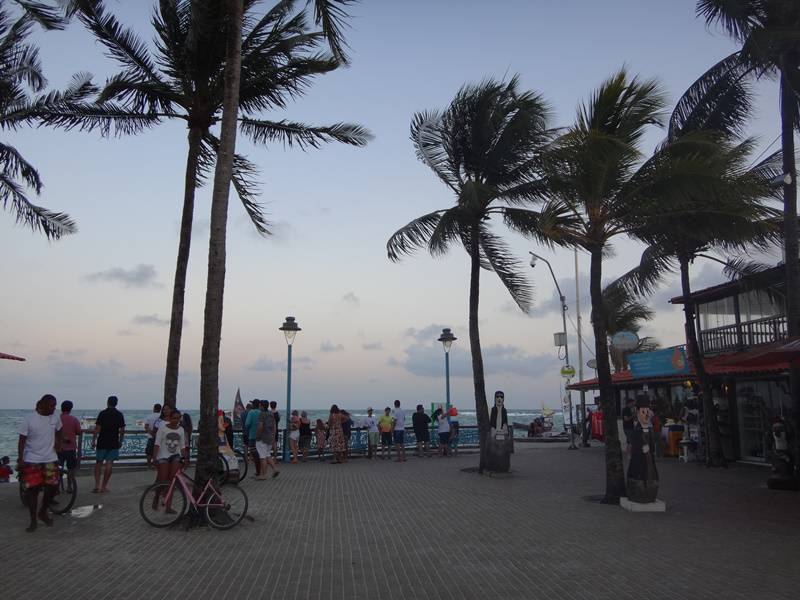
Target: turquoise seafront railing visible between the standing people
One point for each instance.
(135, 441)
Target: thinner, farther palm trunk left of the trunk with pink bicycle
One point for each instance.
(179, 285)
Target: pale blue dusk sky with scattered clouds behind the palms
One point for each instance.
(90, 313)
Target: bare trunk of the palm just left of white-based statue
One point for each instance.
(615, 476)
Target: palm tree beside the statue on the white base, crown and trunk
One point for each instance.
(592, 168)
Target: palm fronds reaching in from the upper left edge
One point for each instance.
(20, 75)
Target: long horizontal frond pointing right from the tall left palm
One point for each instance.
(303, 136)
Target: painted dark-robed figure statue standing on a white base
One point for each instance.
(642, 472)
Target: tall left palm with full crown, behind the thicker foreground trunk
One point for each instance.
(183, 78)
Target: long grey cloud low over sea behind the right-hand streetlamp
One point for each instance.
(428, 361)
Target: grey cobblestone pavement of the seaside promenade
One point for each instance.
(425, 529)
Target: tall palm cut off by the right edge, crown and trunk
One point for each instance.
(769, 32)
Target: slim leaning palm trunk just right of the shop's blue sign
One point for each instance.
(715, 456)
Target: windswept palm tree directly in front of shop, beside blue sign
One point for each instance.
(718, 207)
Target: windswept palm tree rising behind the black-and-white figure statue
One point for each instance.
(486, 148)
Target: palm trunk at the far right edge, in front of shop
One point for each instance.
(790, 242)
